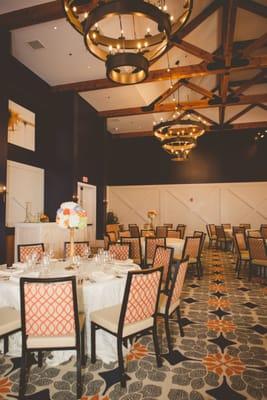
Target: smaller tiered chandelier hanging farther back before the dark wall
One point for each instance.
(179, 136)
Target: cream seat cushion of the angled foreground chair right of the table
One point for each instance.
(108, 318)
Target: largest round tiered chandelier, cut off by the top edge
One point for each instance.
(126, 34)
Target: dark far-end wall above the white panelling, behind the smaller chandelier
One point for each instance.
(218, 157)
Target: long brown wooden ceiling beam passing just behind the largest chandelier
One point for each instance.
(188, 71)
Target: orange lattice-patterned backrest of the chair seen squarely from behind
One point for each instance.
(49, 307)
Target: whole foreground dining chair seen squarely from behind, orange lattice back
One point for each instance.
(50, 321)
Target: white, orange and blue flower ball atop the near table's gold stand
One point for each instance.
(71, 215)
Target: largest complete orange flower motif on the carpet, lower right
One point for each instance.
(223, 364)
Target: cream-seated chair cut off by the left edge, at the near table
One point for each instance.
(9, 324)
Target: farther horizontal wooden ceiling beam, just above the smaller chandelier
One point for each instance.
(170, 107)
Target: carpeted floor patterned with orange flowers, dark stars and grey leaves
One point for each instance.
(222, 356)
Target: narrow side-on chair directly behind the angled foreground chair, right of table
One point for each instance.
(169, 301)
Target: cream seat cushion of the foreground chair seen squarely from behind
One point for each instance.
(34, 342)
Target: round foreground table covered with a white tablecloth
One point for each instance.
(95, 291)
